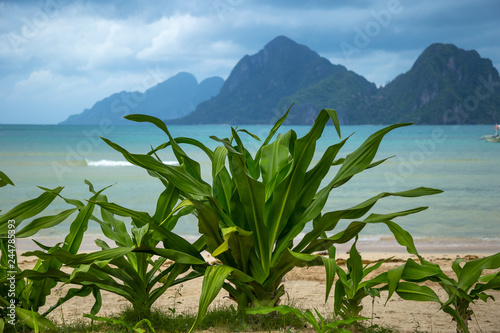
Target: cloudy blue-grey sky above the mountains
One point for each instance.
(59, 57)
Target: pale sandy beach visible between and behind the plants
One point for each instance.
(305, 287)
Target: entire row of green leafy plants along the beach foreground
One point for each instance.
(249, 218)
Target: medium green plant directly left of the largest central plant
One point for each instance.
(128, 269)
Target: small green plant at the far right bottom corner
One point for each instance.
(467, 286)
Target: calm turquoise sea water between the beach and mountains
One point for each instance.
(450, 158)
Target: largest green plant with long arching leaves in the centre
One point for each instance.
(257, 205)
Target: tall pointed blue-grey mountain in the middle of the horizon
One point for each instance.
(260, 87)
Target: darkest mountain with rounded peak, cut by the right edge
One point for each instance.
(446, 85)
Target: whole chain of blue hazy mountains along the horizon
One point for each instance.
(446, 85)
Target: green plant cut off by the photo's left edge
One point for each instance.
(29, 294)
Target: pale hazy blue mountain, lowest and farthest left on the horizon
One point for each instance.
(173, 98)
